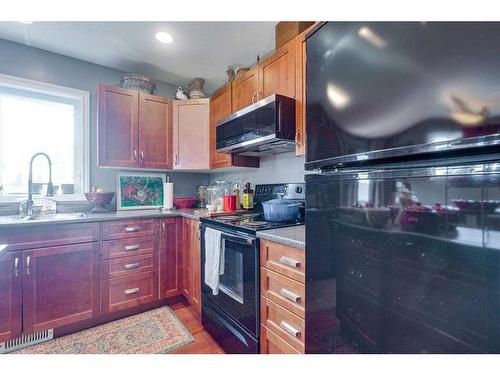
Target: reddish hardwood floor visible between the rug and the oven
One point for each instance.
(204, 343)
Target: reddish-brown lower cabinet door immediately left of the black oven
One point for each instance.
(191, 262)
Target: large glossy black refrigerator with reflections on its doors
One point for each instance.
(403, 187)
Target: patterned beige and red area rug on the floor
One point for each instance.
(155, 331)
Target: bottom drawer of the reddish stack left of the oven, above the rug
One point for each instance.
(129, 291)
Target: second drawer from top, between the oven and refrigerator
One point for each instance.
(286, 292)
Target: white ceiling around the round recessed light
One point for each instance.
(200, 49)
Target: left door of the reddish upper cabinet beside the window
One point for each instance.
(118, 140)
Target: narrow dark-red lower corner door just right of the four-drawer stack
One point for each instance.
(169, 257)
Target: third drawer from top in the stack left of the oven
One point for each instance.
(129, 265)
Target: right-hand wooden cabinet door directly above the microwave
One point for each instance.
(277, 73)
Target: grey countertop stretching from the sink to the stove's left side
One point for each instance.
(115, 215)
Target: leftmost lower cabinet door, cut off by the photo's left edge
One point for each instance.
(10, 295)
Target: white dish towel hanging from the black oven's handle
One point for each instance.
(214, 258)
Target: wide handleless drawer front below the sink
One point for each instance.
(34, 236)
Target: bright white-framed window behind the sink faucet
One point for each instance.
(38, 117)
